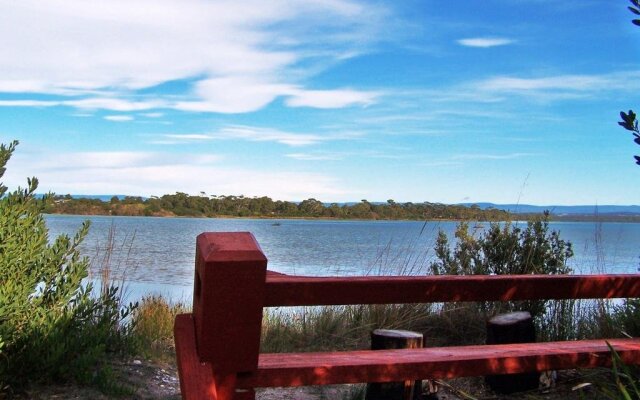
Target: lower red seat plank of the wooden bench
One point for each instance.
(300, 369)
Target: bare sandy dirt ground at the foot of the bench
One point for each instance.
(157, 381)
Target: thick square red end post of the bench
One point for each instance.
(228, 297)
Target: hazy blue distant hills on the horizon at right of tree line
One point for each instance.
(562, 210)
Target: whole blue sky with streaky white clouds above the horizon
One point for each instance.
(504, 101)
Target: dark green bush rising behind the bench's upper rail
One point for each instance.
(504, 249)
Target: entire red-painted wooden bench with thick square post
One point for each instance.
(217, 346)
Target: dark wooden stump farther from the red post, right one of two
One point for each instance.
(515, 327)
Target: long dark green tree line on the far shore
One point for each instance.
(184, 205)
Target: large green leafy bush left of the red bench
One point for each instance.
(51, 327)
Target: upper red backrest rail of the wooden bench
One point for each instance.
(299, 290)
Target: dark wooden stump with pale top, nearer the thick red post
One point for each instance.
(382, 339)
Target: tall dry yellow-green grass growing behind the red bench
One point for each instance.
(348, 328)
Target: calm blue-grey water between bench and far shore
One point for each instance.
(156, 254)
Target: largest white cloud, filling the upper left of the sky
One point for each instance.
(240, 54)
